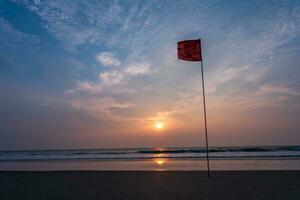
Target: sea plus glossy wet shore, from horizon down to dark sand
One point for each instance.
(179, 158)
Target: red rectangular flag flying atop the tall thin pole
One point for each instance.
(190, 50)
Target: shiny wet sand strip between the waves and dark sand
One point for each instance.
(151, 165)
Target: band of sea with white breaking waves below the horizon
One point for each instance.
(178, 153)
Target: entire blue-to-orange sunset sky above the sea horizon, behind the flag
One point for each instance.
(102, 74)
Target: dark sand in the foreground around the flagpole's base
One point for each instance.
(148, 185)
